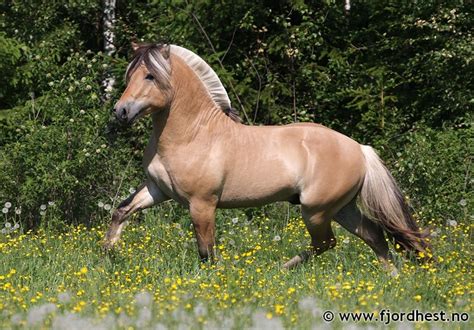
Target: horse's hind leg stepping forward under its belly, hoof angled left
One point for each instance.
(322, 236)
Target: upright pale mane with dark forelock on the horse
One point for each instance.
(156, 59)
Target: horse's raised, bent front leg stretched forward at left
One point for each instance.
(148, 194)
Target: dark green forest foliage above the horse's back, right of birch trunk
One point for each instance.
(372, 73)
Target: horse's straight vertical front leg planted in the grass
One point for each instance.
(203, 218)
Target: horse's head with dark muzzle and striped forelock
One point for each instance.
(148, 83)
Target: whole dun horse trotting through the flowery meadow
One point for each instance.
(201, 156)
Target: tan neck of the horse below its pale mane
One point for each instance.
(192, 112)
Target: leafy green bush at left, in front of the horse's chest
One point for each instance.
(59, 152)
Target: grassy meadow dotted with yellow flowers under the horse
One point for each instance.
(63, 279)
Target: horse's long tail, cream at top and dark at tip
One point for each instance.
(383, 203)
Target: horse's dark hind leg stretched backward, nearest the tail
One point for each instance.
(370, 232)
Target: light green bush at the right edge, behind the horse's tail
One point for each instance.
(435, 167)
